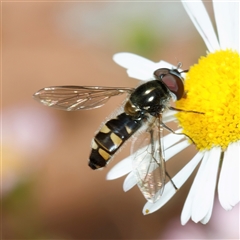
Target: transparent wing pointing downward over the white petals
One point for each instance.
(148, 161)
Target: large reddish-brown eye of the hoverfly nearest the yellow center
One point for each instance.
(174, 84)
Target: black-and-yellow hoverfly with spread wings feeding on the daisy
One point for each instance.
(141, 116)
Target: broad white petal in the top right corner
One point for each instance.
(227, 21)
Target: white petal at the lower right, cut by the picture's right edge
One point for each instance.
(228, 187)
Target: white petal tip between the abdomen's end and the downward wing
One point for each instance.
(120, 169)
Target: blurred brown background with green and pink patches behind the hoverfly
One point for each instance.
(48, 191)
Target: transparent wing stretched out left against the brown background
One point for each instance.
(72, 98)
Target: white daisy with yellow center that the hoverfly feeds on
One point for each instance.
(213, 87)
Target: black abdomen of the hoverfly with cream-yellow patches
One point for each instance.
(110, 138)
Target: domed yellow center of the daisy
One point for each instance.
(213, 88)
